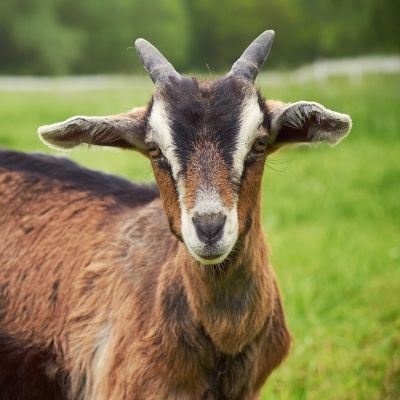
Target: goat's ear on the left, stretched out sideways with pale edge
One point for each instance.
(122, 130)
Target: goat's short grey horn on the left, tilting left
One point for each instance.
(157, 66)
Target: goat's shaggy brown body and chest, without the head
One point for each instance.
(89, 309)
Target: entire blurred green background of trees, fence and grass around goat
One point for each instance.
(331, 216)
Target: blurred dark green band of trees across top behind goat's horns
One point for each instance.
(96, 36)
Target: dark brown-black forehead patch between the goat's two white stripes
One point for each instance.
(208, 112)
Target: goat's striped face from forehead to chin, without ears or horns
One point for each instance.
(204, 138)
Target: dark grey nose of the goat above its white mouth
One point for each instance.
(209, 227)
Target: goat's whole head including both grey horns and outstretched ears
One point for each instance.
(208, 142)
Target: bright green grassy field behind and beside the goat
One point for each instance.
(332, 217)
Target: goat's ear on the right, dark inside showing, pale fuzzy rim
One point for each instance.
(305, 122)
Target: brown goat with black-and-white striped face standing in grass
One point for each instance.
(114, 290)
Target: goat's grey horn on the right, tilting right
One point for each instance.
(253, 58)
